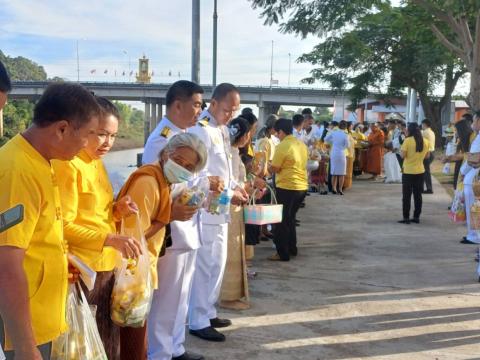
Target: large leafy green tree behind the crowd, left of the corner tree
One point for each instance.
(370, 45)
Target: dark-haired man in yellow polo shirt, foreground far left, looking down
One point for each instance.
(33, 262)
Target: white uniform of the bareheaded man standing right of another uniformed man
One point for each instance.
(212, 256)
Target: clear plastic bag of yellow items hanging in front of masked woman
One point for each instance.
(133, 290)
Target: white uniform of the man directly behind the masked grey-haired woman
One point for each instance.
(167, 318)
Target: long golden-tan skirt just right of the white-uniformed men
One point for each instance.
(235, 282)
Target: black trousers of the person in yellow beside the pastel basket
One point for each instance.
(285, 233)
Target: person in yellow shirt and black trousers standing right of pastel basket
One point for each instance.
(290, 166)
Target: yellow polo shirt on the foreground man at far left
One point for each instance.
(27, 178)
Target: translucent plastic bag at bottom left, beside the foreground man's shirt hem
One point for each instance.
(82, 340)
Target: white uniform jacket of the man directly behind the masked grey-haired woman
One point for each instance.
(185, 234)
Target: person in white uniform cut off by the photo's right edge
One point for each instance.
(470, 173)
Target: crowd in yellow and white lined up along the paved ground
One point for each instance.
(199, 252)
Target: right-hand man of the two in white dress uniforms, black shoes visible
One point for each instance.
(212, 256)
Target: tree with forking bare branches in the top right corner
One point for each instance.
(461, 36)
